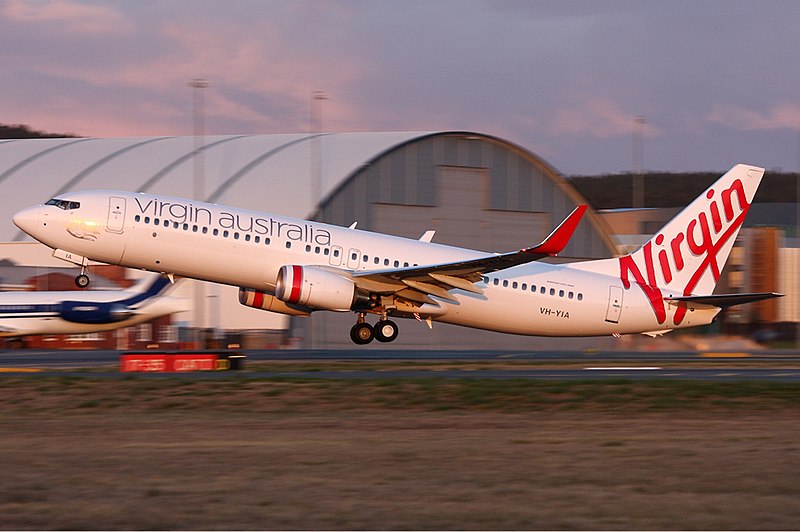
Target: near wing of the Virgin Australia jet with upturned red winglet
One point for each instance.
(418, 282)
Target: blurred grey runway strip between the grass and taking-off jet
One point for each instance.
(781, 366)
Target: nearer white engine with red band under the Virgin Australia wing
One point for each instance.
(314, 287)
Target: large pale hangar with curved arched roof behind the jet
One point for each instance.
(373, 178)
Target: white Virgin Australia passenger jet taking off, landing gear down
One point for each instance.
(296, 267)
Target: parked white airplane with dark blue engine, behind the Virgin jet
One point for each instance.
(72, 312)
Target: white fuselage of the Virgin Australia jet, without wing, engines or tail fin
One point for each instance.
(247, 249)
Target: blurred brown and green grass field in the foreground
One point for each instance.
(142, 453)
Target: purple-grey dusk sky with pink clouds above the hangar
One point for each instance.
(716, 82)
